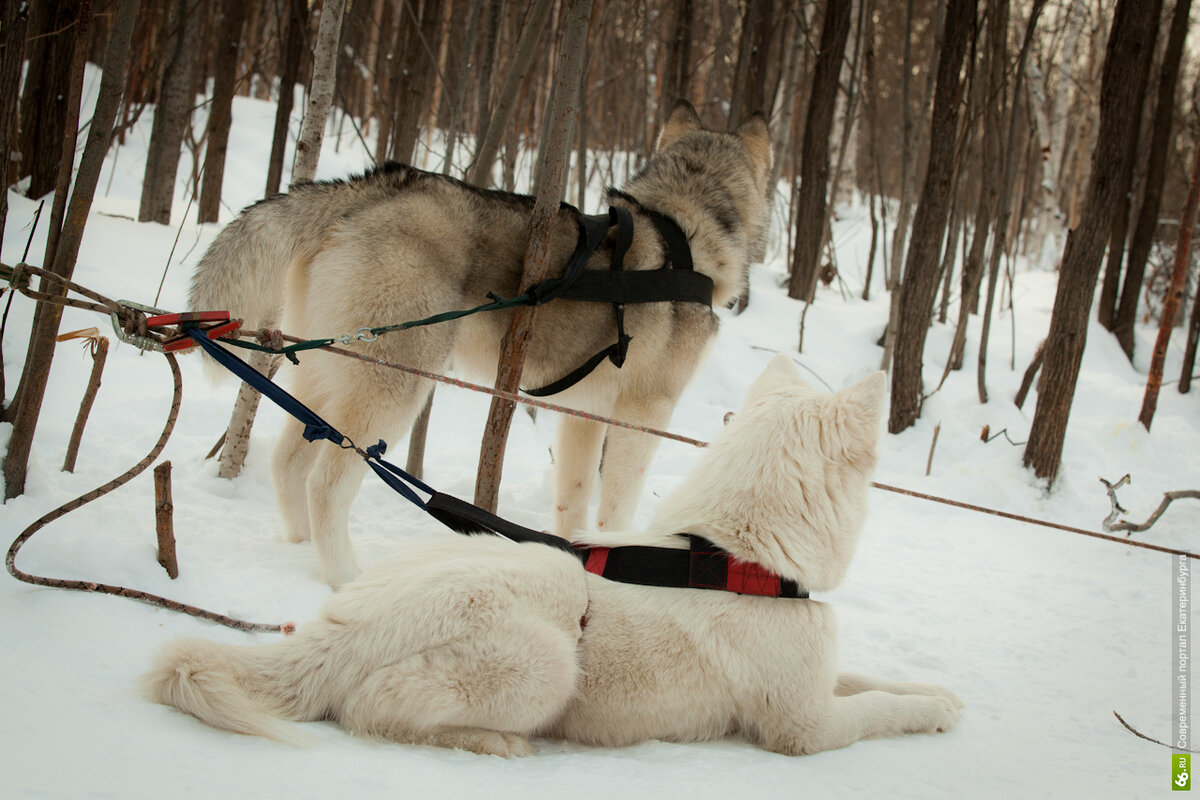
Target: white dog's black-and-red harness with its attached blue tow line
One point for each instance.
(703, 566)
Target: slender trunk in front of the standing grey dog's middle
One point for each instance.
(513, 351)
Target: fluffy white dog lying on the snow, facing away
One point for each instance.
(478, 642)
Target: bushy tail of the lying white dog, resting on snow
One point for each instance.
(215, 683)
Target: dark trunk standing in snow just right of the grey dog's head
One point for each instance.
(812, 207)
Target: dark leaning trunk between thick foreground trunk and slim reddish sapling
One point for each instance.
(1153, 197)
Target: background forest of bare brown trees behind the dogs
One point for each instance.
(975, 131)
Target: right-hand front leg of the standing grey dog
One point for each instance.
(627, 456)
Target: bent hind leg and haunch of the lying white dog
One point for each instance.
(485, 694)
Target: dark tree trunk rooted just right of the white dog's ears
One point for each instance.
(922, 263)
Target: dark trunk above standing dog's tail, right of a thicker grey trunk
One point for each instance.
(233, 16)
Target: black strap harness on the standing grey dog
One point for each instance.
(677, 281)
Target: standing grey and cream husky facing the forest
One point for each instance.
(400, 244)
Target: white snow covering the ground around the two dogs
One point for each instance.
(1042, 633)
